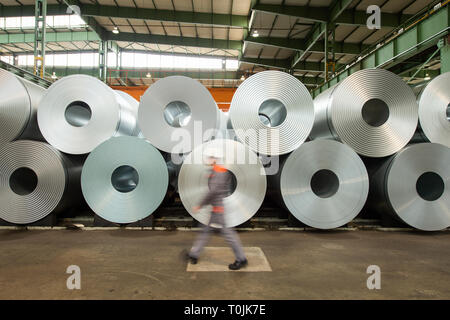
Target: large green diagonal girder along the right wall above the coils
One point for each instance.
(420, 36)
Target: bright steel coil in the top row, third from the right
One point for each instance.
(272, 112)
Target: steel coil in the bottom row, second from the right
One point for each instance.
(324, 184)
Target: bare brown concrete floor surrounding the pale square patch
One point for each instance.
(130, 264)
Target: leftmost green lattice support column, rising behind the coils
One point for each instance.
(39, 37)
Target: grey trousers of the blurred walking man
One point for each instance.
(229, 234)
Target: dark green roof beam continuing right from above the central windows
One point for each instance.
(301, 45)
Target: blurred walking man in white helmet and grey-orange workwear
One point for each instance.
(219, 187)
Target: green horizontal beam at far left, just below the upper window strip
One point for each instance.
(67, 36)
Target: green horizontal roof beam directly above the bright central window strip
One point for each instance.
(176, 41)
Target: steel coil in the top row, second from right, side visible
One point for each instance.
(373, 110)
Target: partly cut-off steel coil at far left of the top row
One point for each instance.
(19, 100)
